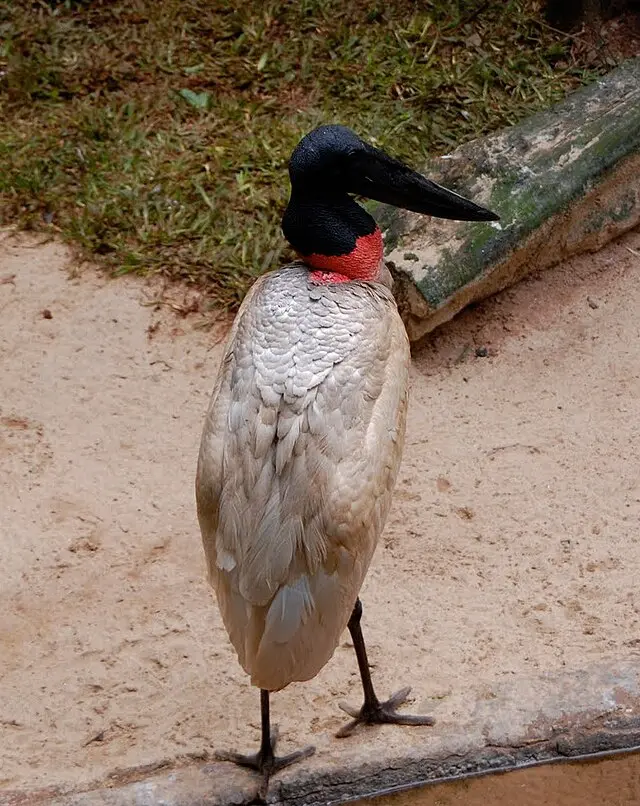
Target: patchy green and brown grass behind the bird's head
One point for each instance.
(155, 134)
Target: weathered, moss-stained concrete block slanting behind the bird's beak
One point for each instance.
(564, 181)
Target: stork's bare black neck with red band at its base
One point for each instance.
(334, 236)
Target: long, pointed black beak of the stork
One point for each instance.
(375, 175)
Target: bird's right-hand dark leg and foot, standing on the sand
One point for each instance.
(374, 712)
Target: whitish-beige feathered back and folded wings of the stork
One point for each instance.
(299, 455)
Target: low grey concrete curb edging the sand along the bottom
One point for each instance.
(565, 717)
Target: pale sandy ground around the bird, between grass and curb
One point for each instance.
(512, 548)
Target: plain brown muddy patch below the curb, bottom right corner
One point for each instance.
(613, 781)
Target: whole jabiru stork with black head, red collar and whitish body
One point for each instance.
(304, 432)
